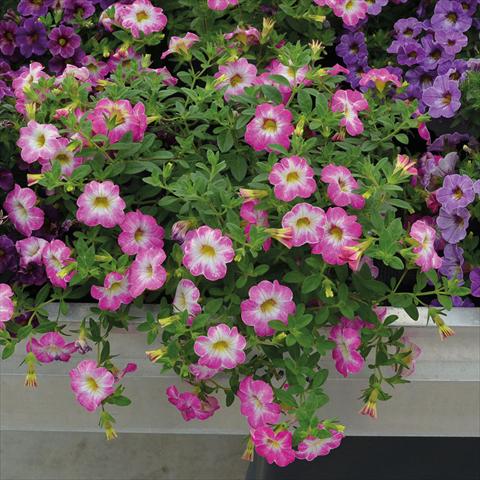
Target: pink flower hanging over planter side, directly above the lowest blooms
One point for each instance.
(257, 402)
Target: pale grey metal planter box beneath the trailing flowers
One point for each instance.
(443, 398)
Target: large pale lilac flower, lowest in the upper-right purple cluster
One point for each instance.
(443, 97)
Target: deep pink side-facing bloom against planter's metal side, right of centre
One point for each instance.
(346, 356)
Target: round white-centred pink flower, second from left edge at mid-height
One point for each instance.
(100, 204)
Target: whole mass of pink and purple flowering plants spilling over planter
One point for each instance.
(265, 188)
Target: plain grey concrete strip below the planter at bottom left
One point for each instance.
(80, 456)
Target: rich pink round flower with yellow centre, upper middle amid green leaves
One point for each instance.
(272, 124)
